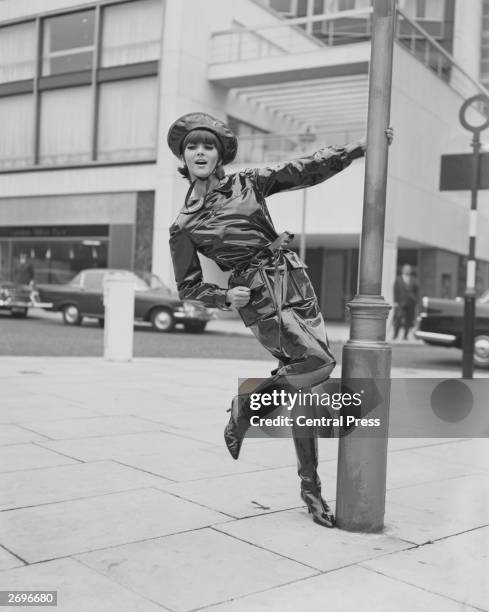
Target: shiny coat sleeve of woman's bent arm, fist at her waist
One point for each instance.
(188, 272)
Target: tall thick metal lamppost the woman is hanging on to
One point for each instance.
(362, 460)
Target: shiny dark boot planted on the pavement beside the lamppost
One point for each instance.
(307, 463)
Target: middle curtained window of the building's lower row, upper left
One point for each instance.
(65, 135)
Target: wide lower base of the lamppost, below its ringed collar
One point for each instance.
(362, 458)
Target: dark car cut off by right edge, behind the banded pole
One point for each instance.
(441, 324)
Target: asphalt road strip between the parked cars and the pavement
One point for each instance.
(44, 334)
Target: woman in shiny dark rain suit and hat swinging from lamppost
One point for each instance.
(226, 219)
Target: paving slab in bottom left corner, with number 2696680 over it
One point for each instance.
(79, 588)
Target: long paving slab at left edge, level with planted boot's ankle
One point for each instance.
(55, 484)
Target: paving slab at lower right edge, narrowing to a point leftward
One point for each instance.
(455, 567)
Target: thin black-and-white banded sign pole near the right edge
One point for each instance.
(469, 304)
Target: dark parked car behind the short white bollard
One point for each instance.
(83, 297)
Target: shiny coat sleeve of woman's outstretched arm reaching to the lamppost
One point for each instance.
(306, 171)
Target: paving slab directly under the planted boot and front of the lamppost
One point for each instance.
(294, 535)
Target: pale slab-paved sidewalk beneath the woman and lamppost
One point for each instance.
(118, 493)
